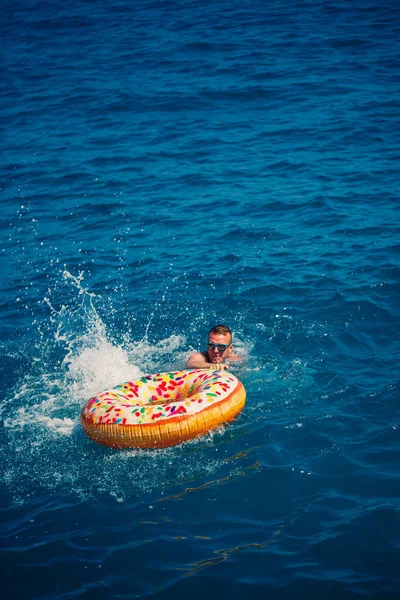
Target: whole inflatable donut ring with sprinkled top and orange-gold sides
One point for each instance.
(162, 410)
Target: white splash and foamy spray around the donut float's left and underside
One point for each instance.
(75, 356)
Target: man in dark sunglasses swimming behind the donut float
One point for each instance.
(219, 350)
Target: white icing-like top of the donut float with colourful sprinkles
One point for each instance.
(159, 397)
